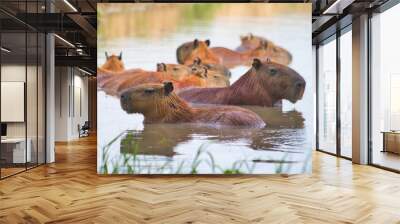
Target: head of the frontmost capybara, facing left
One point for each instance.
(146, 99)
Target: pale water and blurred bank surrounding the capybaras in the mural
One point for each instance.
(282, 147)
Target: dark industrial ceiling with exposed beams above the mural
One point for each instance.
(75, 23)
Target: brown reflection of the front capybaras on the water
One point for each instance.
(283, 133)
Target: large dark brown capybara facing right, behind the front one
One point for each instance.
(264, 84)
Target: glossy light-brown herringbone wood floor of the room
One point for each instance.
(70, 191)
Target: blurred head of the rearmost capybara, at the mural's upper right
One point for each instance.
(267, 49)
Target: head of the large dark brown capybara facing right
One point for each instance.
(279, 80)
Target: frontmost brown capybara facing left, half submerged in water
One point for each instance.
(159, 104)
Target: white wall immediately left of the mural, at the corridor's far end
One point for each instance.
(71, 102)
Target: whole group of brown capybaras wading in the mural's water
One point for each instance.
(197, 90)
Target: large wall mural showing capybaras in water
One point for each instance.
(204, 88)
